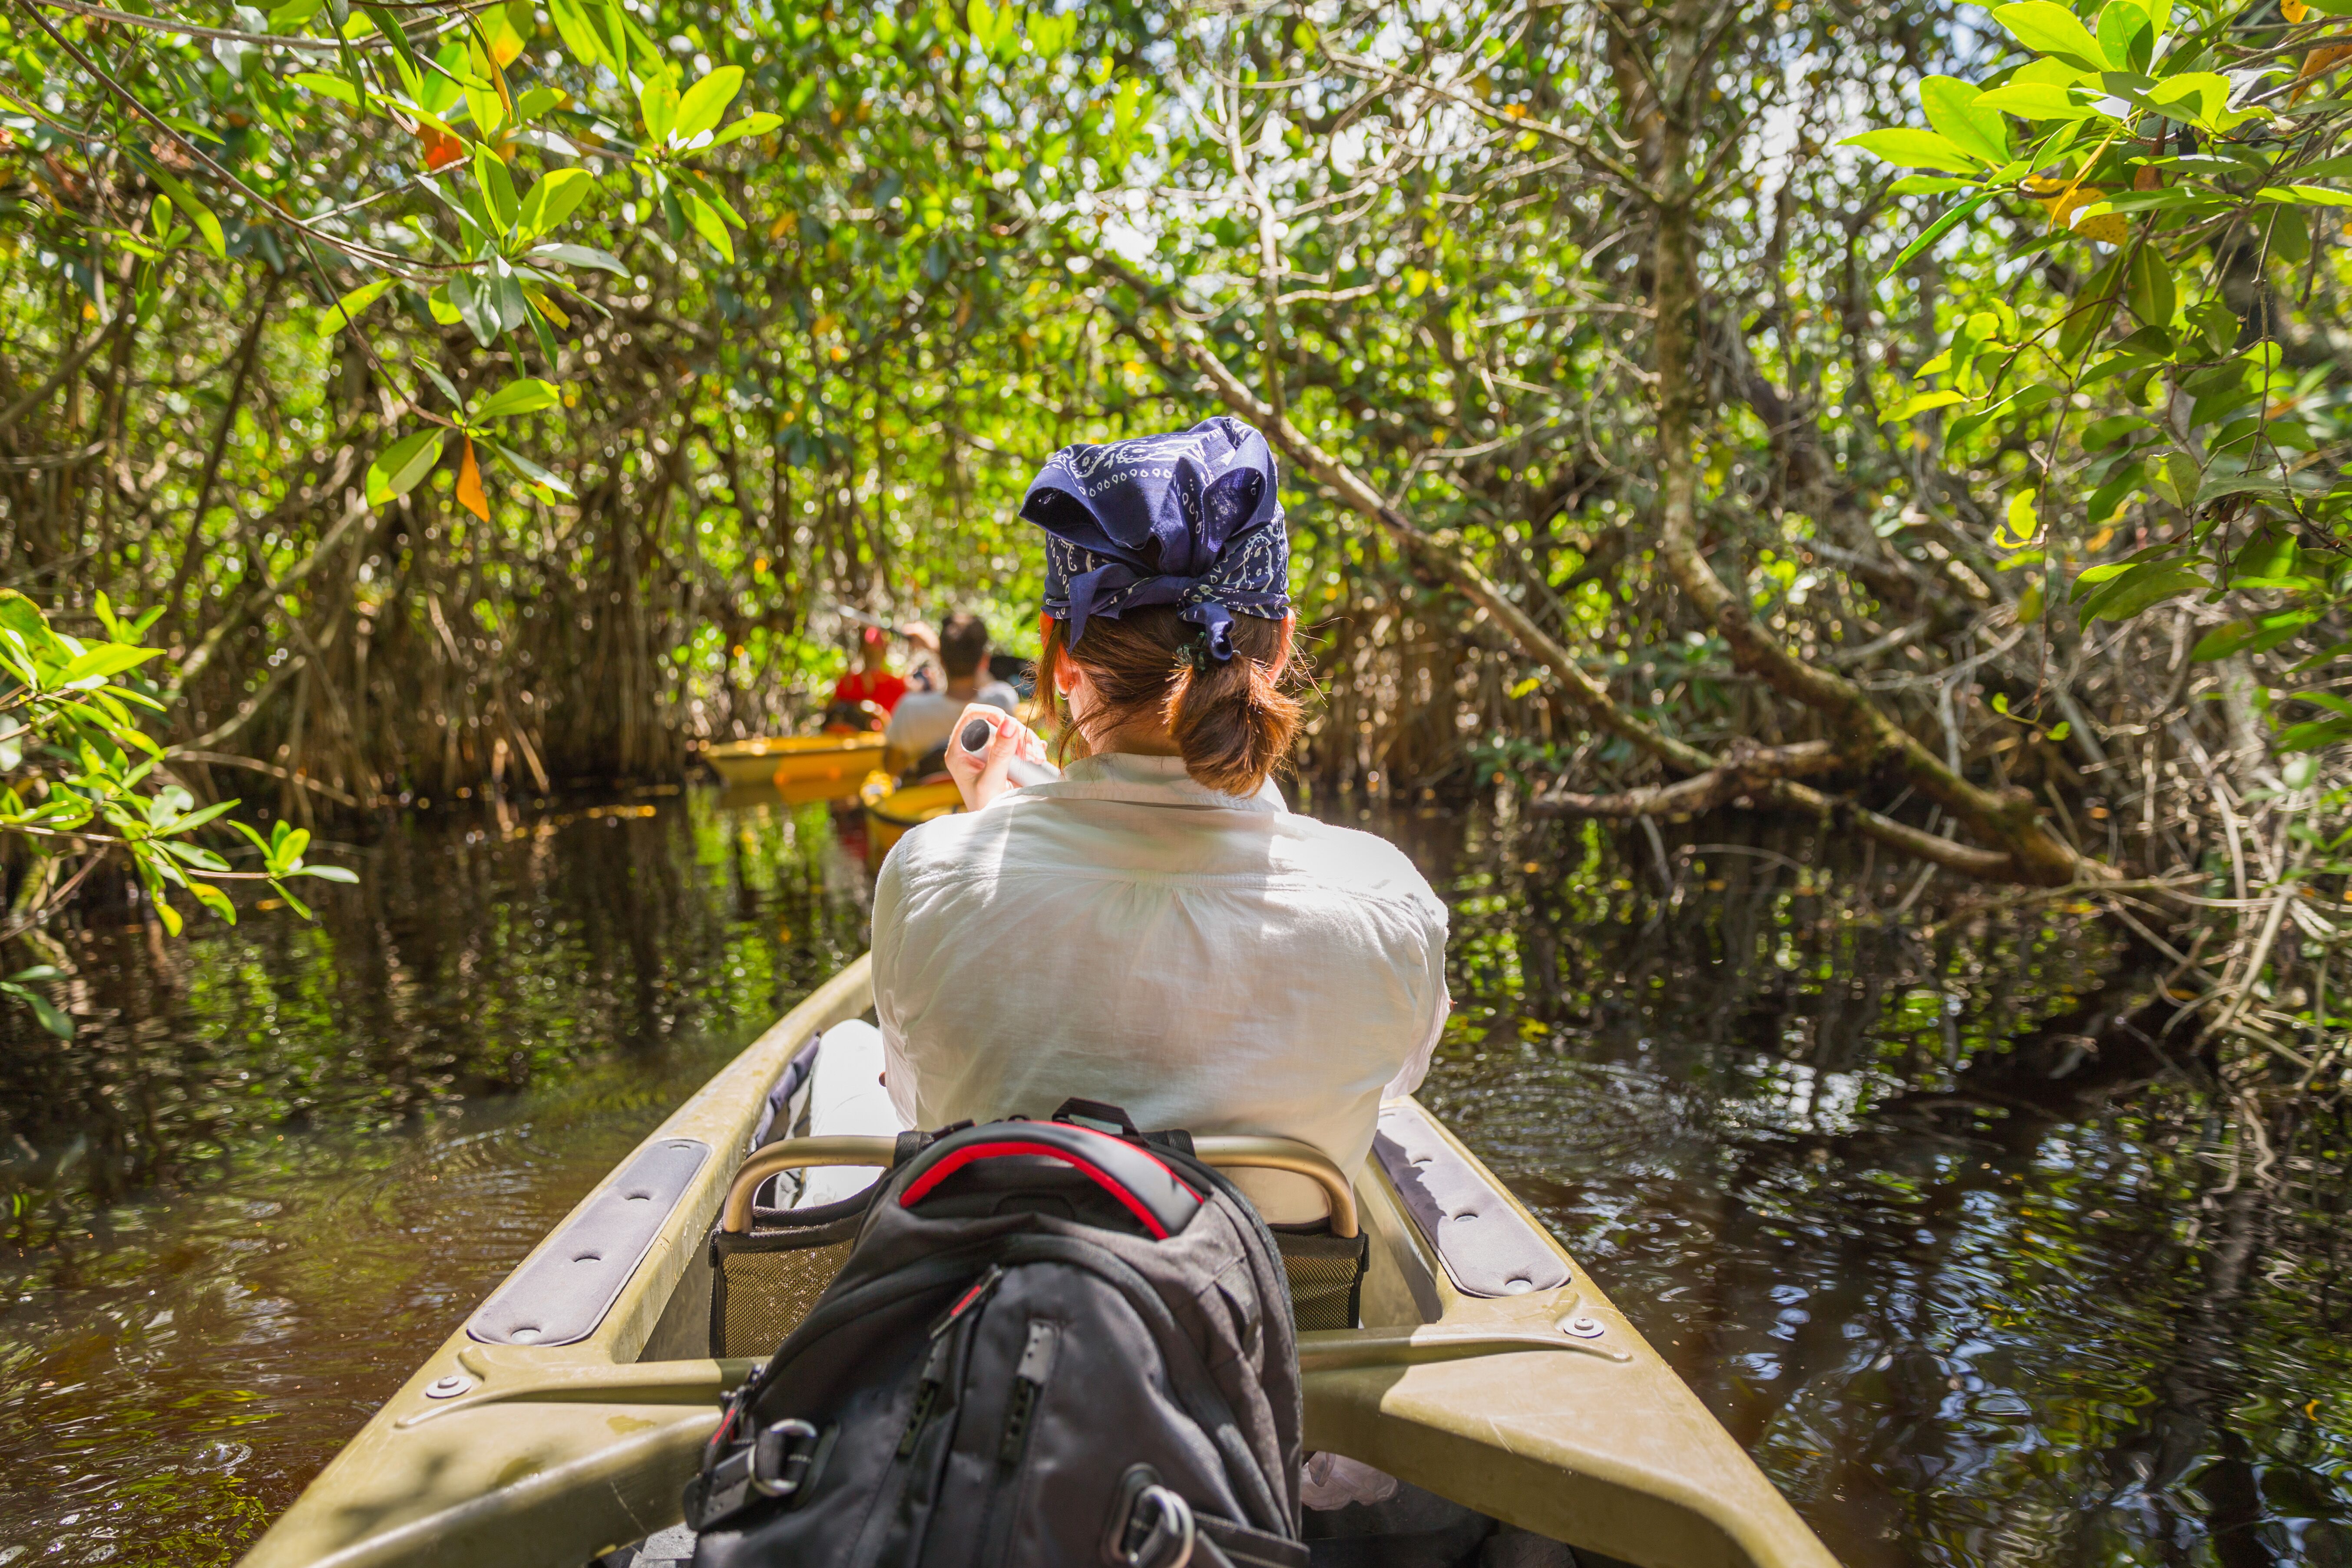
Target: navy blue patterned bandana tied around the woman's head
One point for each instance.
(1184, 518)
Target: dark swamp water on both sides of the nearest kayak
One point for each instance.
(1963, 1264)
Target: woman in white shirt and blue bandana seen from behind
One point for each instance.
(1156, 930)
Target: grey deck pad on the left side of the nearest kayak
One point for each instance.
(566, 1292)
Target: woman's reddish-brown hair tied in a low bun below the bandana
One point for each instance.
(1234, 723)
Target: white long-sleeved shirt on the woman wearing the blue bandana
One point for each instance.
(1201, 960)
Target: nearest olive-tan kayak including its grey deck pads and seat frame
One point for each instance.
(563, 1419)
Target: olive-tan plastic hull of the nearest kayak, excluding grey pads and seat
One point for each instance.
(1542, 1409)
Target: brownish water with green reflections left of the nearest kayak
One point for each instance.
(283, 1160)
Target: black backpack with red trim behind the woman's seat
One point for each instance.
(1050, 1346)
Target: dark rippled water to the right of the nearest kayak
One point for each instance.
(1920, 1198)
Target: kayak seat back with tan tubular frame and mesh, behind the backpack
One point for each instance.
(768, 1266)
